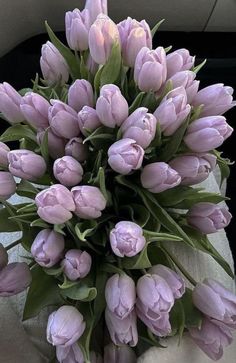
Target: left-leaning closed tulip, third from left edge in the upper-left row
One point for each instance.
(63, 120)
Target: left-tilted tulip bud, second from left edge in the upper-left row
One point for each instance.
(35, 109)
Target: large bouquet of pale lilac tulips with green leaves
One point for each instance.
(110, 144)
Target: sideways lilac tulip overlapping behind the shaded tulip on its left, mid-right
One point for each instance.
(193, 169)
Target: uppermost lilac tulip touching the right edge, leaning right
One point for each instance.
(216, 99)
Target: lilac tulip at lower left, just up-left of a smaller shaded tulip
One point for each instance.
(47, 248)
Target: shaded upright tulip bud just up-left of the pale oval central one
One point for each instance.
(80, 94)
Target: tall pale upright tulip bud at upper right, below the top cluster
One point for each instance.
(150, 69)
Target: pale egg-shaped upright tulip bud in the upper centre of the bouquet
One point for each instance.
(112, 108)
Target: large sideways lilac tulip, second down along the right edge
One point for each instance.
(207, 133)
